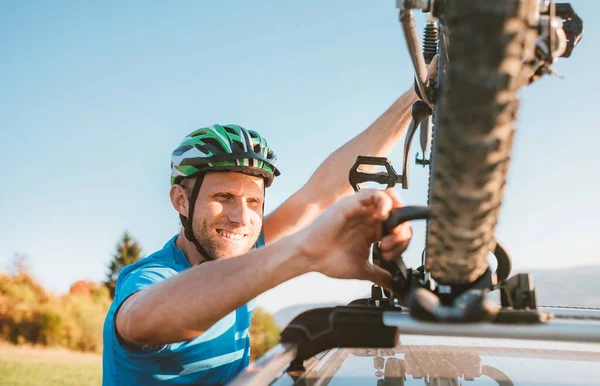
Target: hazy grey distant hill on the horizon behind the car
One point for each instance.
(574, 287)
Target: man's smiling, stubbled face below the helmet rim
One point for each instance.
(228, 213)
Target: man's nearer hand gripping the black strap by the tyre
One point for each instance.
(337, 244)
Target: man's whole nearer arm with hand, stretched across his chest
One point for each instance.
(337, 244)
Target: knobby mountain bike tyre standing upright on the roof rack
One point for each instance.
(482, 47)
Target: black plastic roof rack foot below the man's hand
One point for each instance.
(321, 329)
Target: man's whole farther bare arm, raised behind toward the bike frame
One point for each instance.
(329, 183)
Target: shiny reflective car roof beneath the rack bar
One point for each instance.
(453, 361)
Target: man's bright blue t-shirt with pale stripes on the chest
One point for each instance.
(214, 357)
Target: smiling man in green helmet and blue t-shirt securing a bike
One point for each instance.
(181, 315)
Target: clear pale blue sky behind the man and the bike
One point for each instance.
(95, 96)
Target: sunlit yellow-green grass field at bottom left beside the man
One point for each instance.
(29, 366)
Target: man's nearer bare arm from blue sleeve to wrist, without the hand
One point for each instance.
(182, 307)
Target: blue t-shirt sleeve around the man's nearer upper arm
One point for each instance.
(128, 285)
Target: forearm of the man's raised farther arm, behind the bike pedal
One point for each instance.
(330, 181)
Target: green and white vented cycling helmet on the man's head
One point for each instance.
(223, 148)
